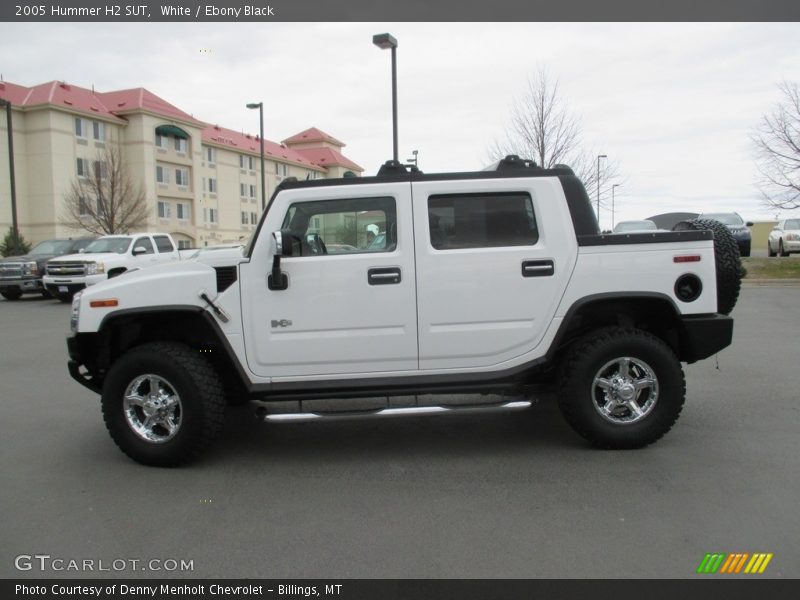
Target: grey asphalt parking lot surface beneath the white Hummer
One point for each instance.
(506, 494)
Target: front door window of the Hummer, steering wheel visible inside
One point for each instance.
(348, 226)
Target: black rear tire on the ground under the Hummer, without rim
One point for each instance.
(578, 394)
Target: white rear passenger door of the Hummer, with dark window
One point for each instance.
(493, 258)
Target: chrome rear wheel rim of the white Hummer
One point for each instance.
(624, 390)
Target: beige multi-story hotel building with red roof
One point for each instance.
(202, 182)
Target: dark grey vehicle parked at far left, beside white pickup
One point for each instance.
(23, 274)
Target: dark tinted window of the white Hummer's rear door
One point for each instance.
(481, 220)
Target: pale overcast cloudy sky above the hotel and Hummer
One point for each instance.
(672, 104)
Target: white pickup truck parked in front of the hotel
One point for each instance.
(105, 258)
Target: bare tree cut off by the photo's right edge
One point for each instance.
(777, 143)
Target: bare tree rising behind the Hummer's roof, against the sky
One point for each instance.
(542, 128)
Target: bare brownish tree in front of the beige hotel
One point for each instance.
(103, 199)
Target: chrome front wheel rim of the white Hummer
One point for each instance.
(152, 408)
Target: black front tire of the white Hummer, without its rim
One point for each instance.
(195, 381)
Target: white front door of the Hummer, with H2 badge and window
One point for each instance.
(350, 305)
